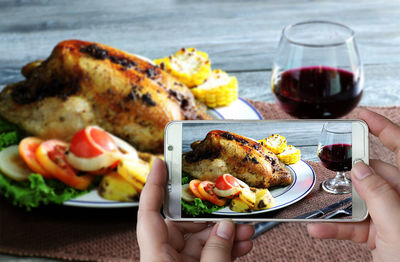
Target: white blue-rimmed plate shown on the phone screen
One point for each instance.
(303, 182)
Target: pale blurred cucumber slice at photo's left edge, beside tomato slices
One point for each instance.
(12, 165)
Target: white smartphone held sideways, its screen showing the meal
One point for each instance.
(264, 170)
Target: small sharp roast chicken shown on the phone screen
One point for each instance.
(226, 152)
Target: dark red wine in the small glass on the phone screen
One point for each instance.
(336, 157)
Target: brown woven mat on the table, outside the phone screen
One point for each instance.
(109, 235)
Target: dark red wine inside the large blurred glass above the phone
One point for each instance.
(317, 92)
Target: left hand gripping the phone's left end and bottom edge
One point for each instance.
(161, 240)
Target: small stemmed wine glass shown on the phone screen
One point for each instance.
(334, 151)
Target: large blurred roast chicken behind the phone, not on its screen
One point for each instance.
(85, 83)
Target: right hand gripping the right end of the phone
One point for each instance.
(378, 185)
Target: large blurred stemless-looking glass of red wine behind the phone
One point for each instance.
(317, 72)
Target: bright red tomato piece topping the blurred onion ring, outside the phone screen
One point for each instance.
(91, 142)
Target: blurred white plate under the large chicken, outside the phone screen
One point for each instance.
(239, 109)
